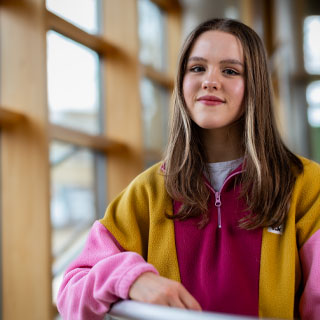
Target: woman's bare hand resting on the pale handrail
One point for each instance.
(155, 289)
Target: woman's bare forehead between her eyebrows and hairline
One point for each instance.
(217, 44)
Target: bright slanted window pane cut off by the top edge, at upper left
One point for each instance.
(82, 13)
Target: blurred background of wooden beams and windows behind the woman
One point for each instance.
(85, 88)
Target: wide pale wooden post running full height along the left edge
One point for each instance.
(25, 200)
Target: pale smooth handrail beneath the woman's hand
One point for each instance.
(133, 310)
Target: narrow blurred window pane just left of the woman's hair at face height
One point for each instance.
(155, 102)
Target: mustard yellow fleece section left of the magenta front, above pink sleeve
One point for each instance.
(137, 219)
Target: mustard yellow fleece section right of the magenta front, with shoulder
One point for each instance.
(280, 266)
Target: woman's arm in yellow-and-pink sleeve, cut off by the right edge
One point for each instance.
(308, 239)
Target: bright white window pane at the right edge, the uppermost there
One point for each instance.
(311, 44)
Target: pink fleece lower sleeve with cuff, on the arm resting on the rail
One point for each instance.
(101, 275)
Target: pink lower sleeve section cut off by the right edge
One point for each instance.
(310, 260)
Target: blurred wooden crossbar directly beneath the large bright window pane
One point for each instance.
(95, 142)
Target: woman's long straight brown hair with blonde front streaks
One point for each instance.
(270, 167)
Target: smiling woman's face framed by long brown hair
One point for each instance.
(213, 85)
